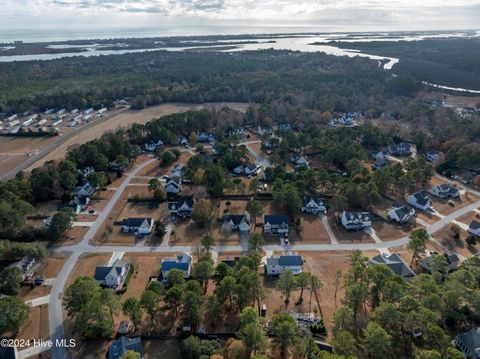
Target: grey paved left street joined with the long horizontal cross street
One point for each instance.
(55, 310)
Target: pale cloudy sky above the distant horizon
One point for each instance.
(312, 15)
